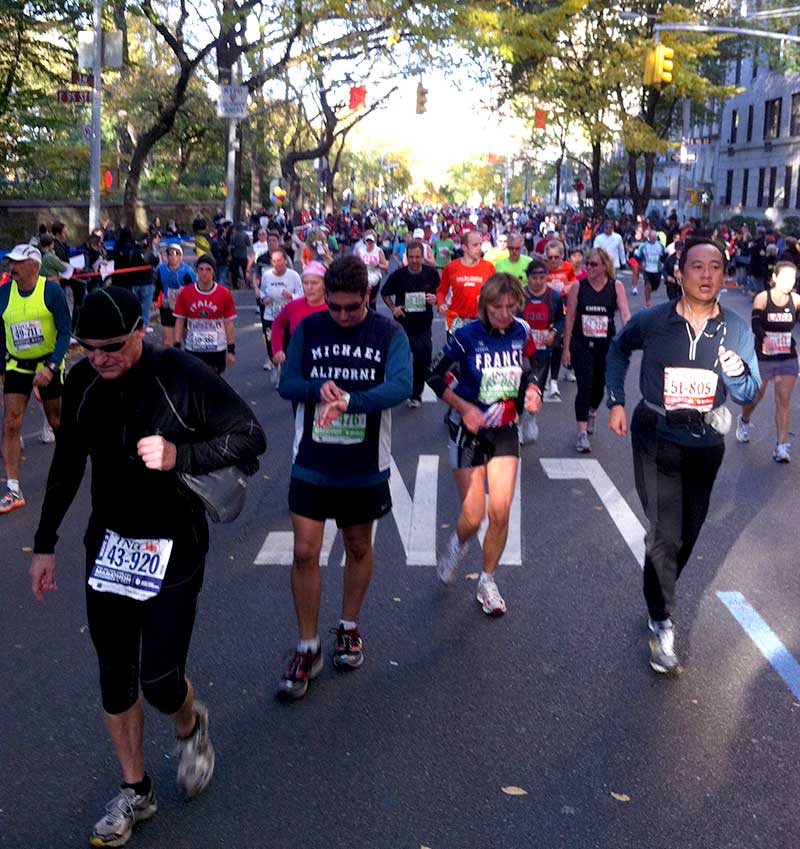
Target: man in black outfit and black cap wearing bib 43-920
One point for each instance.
(143, 415)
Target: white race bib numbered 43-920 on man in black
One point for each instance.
(130, 567)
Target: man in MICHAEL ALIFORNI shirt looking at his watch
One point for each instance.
(346, 368)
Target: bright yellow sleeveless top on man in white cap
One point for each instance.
(30, 329)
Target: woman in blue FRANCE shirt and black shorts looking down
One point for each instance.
(493, 358)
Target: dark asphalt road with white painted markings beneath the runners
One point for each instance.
(414, 749)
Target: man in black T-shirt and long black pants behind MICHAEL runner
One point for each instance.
(414, 291)
